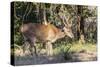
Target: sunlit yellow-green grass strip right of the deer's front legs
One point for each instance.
(75, 47)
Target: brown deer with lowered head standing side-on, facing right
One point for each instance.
(47, 34)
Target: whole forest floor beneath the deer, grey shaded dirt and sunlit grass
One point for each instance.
(77, 53)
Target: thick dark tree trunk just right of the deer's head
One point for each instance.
(80, 25)
